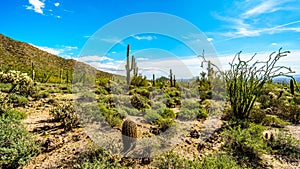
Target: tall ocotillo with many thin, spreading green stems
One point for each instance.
(245, 80)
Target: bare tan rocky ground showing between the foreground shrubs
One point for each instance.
(64, 149)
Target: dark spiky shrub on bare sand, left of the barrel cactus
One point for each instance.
(65, 113)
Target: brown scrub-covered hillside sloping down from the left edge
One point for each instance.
(21, 56)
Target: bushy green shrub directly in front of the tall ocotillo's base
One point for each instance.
(245, 143)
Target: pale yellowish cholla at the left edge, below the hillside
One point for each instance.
(21, 82)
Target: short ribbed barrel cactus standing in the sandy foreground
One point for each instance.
(129, 135)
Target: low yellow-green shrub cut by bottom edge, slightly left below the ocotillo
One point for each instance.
(218, 160)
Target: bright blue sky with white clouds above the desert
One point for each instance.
(65, 27)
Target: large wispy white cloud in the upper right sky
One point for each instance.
(257, 19)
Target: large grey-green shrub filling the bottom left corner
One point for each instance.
(17, 145)
